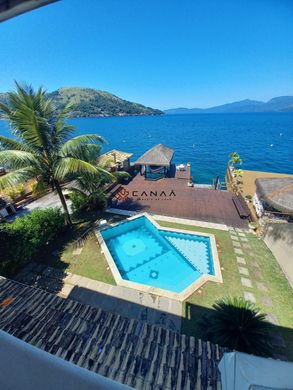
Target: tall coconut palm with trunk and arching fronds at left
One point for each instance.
(42, 146)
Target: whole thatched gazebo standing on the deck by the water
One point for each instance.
(156, 162)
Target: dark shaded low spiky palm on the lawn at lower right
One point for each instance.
(237, 324)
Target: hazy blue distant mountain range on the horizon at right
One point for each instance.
(277, 104)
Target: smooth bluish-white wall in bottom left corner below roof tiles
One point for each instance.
(24, 367)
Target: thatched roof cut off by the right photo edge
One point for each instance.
(278, 193)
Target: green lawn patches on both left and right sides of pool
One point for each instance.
(91, 263)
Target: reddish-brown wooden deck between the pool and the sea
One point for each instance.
(172, 197)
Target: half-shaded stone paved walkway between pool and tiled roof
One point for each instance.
(121, 300)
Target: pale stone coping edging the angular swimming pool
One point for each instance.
(182, 296)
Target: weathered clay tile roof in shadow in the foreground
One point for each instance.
(126, 350)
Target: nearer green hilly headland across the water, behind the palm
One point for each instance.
(88, 102)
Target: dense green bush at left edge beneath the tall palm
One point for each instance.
(23, 239)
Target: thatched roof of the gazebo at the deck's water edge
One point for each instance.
(159, 155)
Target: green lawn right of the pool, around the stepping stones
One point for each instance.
(269, 273)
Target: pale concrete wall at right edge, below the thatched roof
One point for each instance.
(279, 238)
